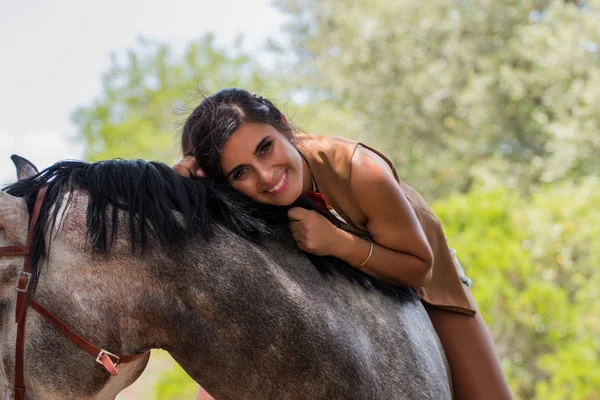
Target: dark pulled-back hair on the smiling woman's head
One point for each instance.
(213, 122)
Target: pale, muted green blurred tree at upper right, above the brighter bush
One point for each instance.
(457, 91)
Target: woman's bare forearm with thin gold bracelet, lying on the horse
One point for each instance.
(390, 265)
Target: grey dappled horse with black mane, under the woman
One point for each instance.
(133, 257)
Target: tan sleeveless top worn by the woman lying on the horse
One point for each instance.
(330, 159)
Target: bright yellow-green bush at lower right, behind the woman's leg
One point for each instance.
(534, 263)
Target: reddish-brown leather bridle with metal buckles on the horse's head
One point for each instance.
(24, 301)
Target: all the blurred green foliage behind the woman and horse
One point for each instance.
(490, 109)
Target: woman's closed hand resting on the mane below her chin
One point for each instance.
(312, 232)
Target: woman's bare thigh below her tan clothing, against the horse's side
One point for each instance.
(474, 364)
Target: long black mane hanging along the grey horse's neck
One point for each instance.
(151, 192)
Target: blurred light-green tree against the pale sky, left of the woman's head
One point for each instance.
(148, 91)
